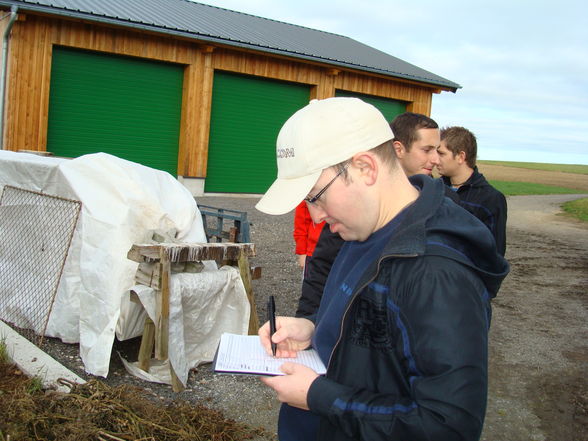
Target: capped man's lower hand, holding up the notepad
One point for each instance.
(292, 388)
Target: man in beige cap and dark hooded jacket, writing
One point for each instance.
(403, 322)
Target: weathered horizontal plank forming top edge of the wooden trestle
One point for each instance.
(190, 252)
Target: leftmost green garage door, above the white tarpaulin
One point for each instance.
(128, 107)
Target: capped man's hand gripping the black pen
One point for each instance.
(292, 335)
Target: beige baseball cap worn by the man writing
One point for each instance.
(318, 136)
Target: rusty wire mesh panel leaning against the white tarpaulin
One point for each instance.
(35, 234)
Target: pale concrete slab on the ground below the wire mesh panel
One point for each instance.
(34, 362)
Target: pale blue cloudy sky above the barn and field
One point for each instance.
(522, 65)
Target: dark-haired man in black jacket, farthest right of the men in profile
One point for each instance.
(457, 165)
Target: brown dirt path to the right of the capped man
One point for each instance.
(538, 350)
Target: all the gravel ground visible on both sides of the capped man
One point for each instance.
(539, 355)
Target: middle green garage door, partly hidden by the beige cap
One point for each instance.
(247, 114)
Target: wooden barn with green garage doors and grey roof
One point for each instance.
(194, 90)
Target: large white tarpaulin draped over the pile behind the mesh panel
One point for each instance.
(123, 203)
